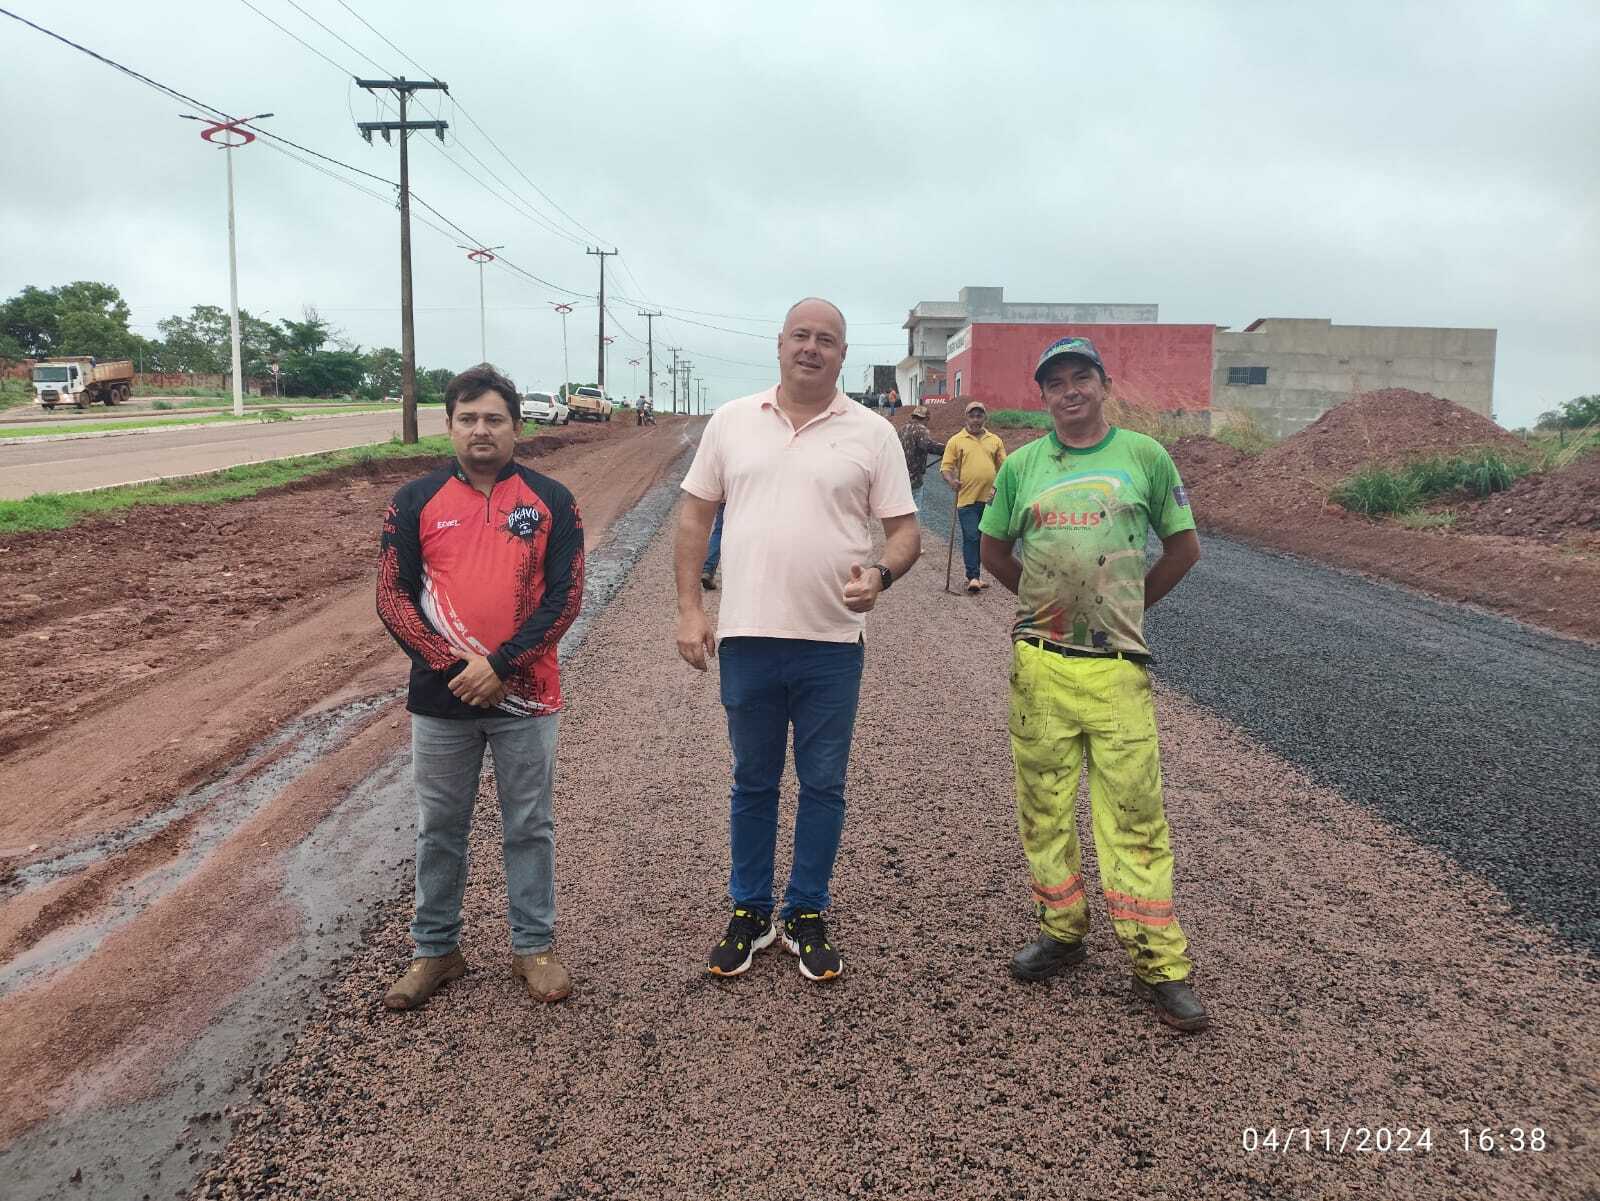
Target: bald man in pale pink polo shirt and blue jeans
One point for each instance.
(802, 471)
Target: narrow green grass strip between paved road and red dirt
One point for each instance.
(58, 511)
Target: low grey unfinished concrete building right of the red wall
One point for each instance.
(1287, 372)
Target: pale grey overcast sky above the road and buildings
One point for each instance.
(1388, 164)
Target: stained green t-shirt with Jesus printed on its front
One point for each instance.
(1081, 519)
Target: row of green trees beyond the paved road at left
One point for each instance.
(313, 357)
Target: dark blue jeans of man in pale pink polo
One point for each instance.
(769, 685)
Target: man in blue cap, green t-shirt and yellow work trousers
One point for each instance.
(1079, 505)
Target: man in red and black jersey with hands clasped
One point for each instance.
(481, 575)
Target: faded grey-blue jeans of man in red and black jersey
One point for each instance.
(447, 756)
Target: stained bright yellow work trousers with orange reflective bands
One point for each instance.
(1065, 712)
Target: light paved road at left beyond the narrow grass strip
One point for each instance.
(79, 465)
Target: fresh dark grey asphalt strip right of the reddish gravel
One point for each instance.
(1470, 732)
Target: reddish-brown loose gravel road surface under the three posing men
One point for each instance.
(1358, 978)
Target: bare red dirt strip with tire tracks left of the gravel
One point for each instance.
(153, 652)
